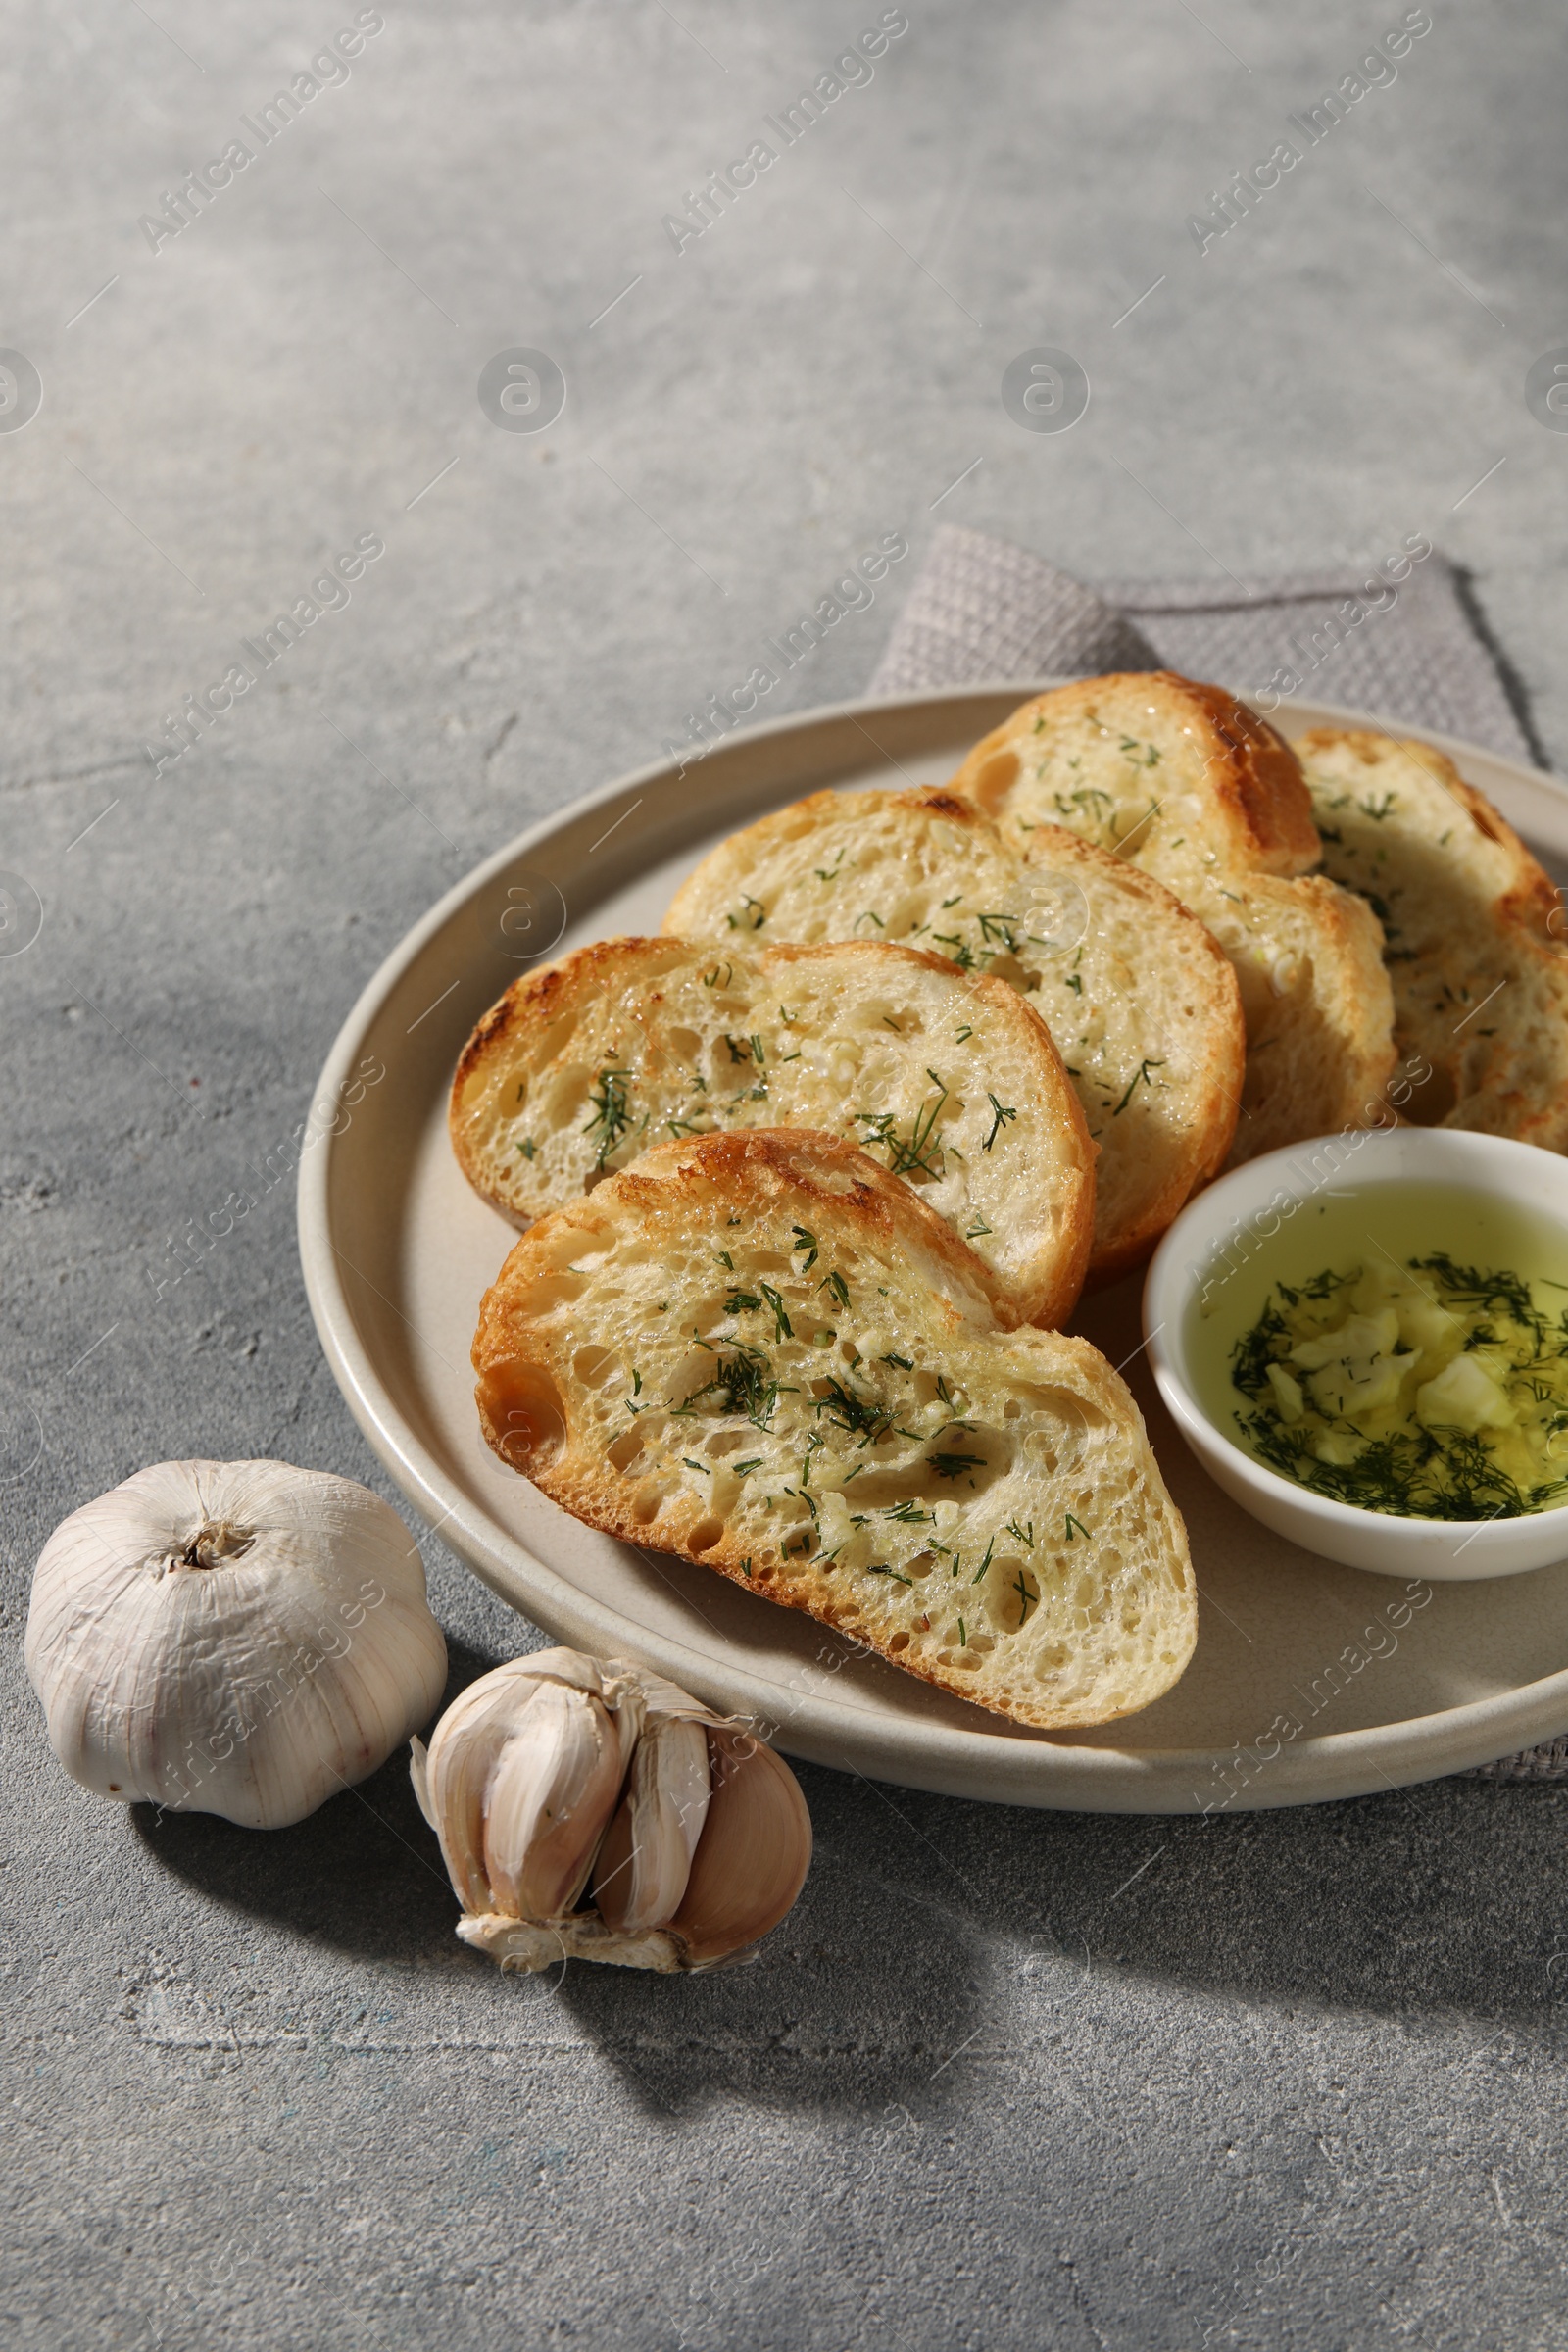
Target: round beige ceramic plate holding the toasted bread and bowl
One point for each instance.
(1308, 1681)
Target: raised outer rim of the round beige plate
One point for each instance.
(951, 1760)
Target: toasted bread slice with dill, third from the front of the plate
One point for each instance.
(1137, 996)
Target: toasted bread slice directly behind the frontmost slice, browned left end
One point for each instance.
(641, 1041)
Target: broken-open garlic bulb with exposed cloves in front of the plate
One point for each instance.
(561, 1775)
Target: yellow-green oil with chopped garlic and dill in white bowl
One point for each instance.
(1395, 1344)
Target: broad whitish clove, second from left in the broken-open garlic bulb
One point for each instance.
(549, 1803)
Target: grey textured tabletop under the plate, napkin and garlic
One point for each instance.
(1003, 2080)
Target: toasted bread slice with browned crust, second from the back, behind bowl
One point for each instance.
(1188, 784)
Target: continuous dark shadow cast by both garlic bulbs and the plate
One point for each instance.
(934, 1930)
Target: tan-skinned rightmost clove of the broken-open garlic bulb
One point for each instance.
(753, 1852)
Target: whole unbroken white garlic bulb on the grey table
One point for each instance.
(232, 1638)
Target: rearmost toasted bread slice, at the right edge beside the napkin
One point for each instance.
(1475, 935)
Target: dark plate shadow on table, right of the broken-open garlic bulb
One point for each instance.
(1447, 1897)
